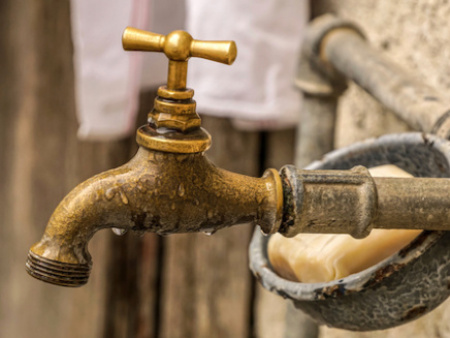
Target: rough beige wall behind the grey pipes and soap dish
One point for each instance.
(416, 35)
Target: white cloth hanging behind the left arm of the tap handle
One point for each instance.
(107, 79)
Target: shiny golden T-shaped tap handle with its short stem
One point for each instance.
(178, 46)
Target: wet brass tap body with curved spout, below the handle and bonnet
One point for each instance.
(158, 192)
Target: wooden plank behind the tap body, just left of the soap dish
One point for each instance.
(206, 281)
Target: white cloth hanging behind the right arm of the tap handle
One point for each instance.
(257, 89)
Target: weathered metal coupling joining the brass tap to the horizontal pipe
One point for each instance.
(325, 201)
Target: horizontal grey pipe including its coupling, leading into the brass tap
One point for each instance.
(353, 202)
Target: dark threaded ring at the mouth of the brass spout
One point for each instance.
(55, 272)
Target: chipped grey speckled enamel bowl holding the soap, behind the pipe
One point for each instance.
(399, 289)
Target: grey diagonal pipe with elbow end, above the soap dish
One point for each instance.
(339, 46)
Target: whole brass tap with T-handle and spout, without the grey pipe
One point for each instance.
(169, 186)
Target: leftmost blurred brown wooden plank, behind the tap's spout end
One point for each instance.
(41, 160)
